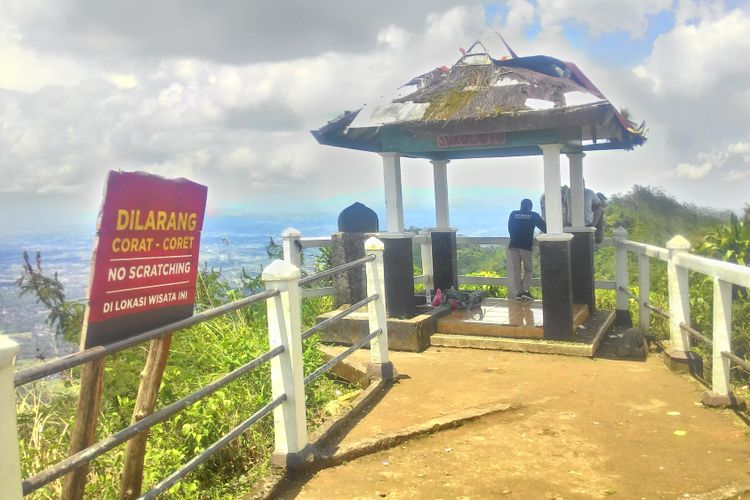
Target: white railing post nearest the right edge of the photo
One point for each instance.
(720, 395)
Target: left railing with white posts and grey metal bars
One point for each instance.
(282, 297)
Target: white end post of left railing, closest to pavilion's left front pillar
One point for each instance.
(380, 367)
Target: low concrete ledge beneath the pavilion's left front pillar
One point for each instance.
(411, 334)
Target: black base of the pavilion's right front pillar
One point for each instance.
(557, 292)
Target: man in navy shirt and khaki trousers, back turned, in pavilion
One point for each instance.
(521, 224)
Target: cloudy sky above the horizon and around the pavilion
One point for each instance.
(226, 92)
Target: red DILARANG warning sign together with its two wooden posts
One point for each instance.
(143, 277)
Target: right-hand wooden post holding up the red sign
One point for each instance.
(148, 391)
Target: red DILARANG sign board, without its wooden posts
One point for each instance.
(145, 257)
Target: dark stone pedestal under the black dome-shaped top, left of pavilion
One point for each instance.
(350, 286)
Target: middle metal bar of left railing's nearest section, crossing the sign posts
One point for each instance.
(84, 456)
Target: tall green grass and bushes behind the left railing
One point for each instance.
(199, 355)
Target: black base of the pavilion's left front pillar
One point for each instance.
(399, 274)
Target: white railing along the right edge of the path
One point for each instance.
(679, 263)
